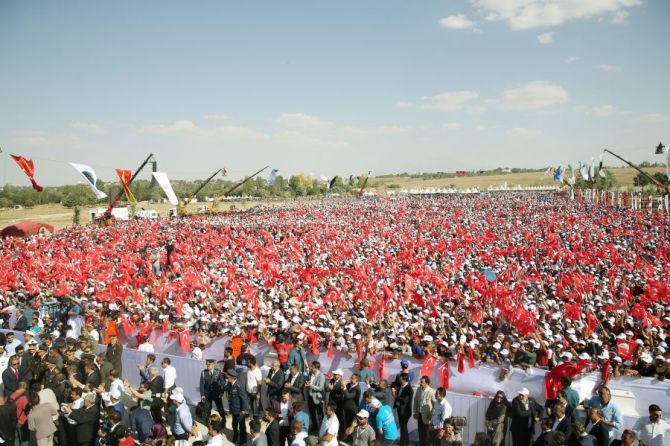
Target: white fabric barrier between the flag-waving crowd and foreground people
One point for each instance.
(483, 380)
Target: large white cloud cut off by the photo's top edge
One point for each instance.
(529, 14)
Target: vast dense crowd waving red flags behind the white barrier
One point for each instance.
(517, 280)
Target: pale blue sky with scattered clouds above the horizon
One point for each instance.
(325, 88)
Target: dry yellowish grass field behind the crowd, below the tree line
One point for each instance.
(61, 217)
